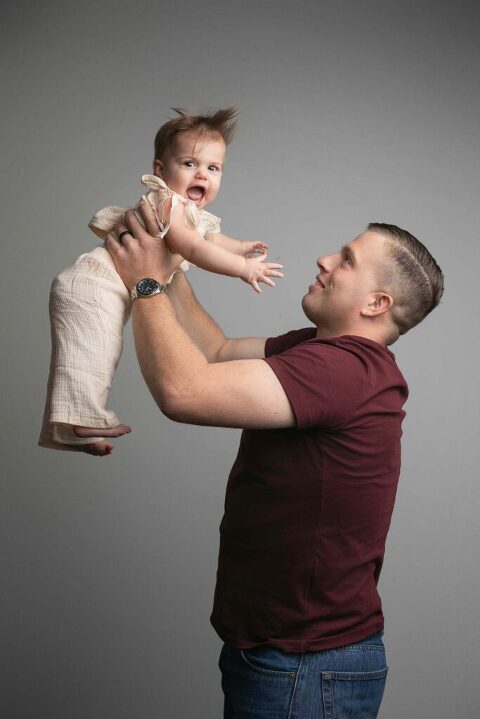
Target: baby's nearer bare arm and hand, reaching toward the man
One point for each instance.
(187, 242)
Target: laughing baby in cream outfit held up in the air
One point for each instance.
(89, 304)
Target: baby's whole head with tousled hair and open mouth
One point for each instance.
(190, 152)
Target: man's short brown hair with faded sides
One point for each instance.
(416, 276)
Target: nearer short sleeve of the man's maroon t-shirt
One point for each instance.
(324, 383)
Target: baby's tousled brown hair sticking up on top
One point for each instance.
(219, 122)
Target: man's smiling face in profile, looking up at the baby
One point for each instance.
(345, 283)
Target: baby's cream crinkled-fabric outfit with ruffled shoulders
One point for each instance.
(89, 305)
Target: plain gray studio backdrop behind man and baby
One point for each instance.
(350, 112)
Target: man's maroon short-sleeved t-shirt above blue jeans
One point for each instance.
(307, 509)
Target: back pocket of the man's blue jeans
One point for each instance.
(350, 695)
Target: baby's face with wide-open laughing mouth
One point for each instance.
(194, 167)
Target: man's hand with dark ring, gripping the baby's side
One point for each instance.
(141, 253)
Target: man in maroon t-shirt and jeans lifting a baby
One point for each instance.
(310, 496)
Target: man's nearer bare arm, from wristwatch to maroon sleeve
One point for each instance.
(187, 388)
